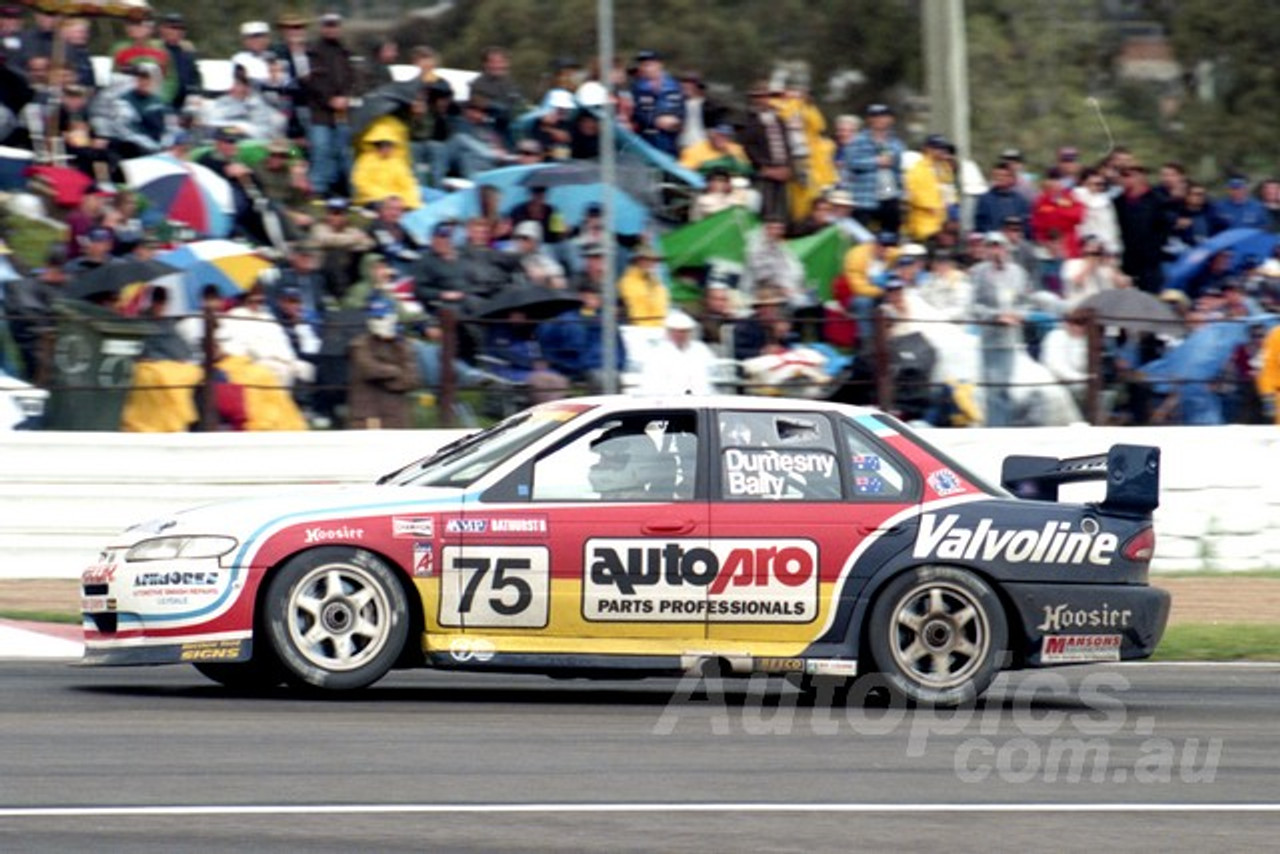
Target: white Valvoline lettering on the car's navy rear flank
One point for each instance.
(944, 537)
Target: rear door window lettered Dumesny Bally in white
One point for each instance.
(778, 456)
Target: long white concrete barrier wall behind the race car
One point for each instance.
(65, 495)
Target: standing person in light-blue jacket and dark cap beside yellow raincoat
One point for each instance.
(875, 162)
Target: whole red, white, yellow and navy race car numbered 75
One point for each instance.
(609, 536)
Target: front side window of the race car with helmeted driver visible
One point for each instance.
(650, 458)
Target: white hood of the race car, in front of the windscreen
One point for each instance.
(246, 517)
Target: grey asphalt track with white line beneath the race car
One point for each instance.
(1091, 759)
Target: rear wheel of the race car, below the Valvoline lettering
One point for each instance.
(938, 636)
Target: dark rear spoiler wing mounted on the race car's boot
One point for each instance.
(1132, 473)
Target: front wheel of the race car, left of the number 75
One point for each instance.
(336, 619)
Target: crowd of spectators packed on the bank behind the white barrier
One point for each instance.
(355, 299)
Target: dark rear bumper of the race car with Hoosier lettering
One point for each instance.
(1066, 624)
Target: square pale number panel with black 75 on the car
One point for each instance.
(495, 587)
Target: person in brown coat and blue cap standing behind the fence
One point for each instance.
(383, 371)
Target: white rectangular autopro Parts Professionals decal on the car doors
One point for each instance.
(696, 581)
